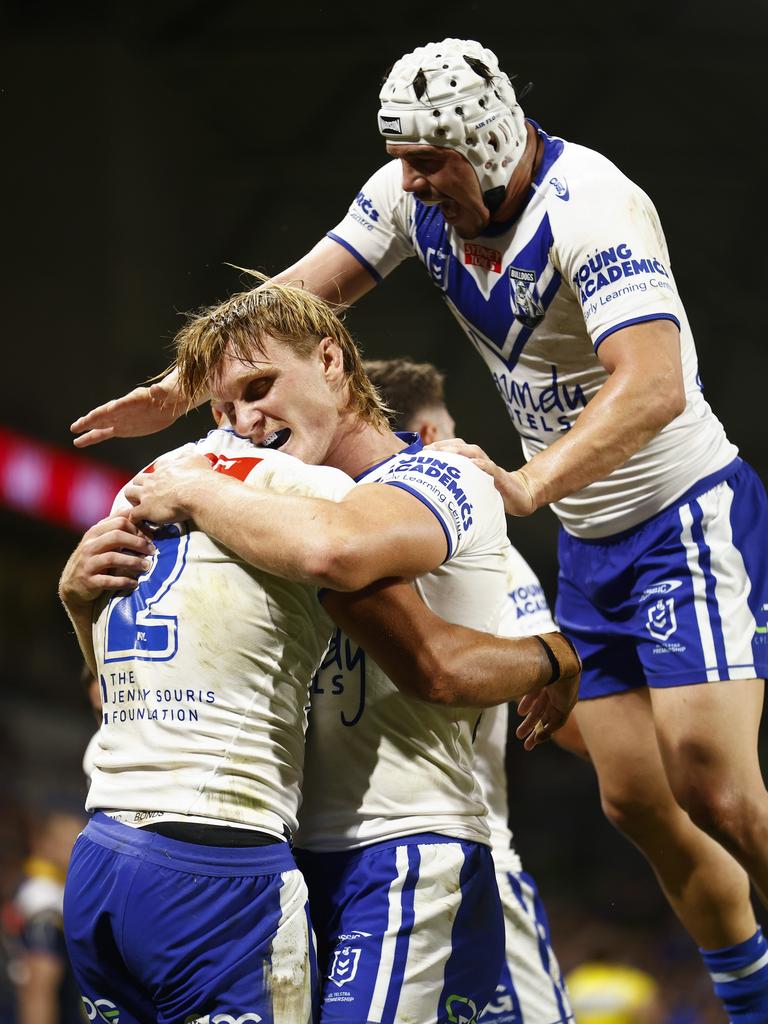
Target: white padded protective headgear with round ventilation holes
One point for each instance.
(435, 97)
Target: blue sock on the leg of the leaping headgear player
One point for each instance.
(741, 978)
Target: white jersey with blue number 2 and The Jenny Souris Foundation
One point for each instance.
(205, 670)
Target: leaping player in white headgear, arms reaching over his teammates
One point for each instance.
(556, 266)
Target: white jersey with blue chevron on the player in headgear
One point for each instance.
(537, 296)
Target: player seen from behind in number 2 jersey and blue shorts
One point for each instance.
(184, 902)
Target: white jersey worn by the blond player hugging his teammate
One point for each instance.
(379, 764)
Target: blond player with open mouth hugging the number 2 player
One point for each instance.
(394, 830)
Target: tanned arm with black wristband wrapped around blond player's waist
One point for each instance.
(441, 663)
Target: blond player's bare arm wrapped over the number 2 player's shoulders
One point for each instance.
(377, 531)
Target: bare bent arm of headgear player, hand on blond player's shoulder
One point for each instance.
(644, 394)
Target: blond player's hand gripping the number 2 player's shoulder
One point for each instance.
(166, 492)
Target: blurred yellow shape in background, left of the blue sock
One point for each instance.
(613, 994)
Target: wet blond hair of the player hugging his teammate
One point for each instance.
(288, 314)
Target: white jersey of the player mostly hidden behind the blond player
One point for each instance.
(526, 613)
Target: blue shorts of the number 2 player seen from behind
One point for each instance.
(176, 933)
